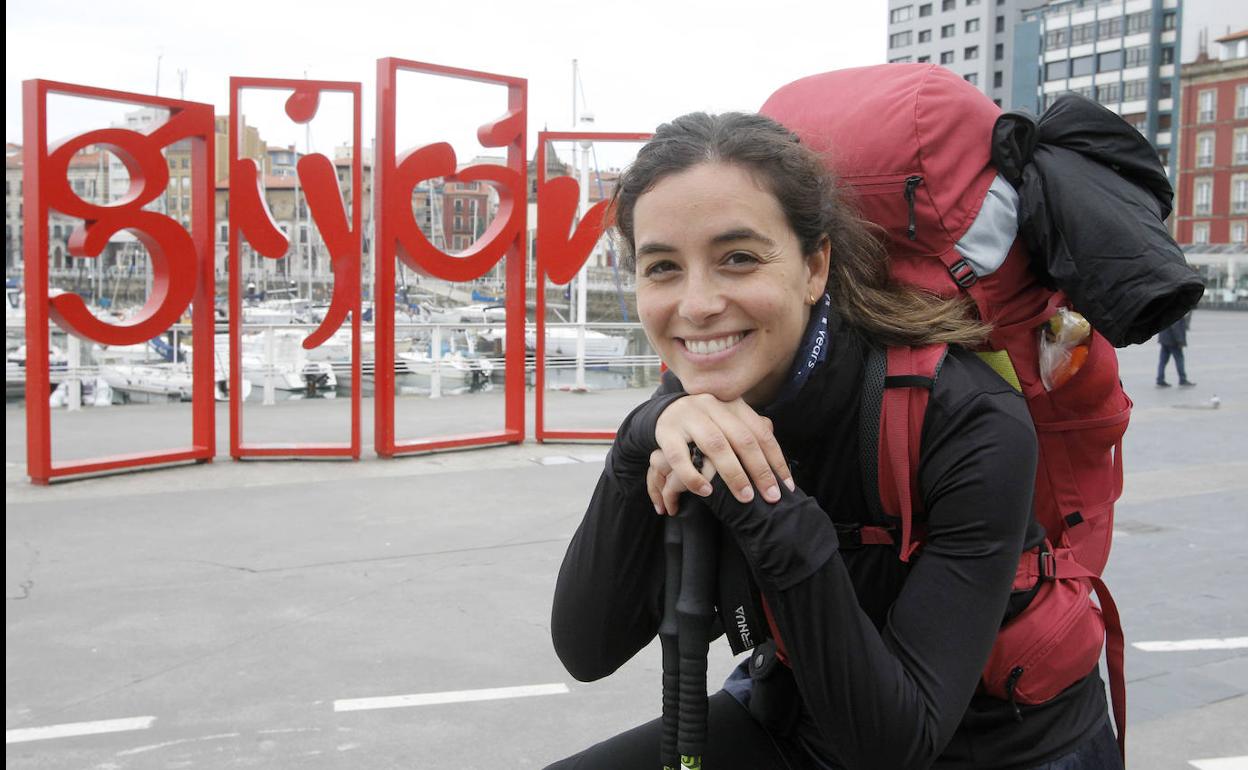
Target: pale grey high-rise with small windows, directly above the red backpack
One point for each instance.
(973, 38)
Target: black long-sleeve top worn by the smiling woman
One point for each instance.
(887, 657)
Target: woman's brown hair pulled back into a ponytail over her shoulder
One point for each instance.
(859, 281)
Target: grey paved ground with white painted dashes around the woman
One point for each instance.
(239, 607)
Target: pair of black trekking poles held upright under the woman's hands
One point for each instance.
(690, 611)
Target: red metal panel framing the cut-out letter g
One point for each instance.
(182, 261)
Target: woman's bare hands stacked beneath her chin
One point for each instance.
(736, 441)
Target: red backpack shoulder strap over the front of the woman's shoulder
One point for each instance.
(894, 405)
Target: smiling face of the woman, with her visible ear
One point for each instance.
(723, 288)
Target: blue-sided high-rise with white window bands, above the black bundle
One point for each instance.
(1121, 54)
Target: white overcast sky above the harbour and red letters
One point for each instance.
(642, 62)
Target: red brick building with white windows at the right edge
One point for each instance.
(1212, 189)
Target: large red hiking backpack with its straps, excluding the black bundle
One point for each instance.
(913, 144)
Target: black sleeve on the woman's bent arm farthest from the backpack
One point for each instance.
(608, 598)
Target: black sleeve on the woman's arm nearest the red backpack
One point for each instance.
(893, 698)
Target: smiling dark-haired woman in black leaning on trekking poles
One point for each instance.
(762, 293)
